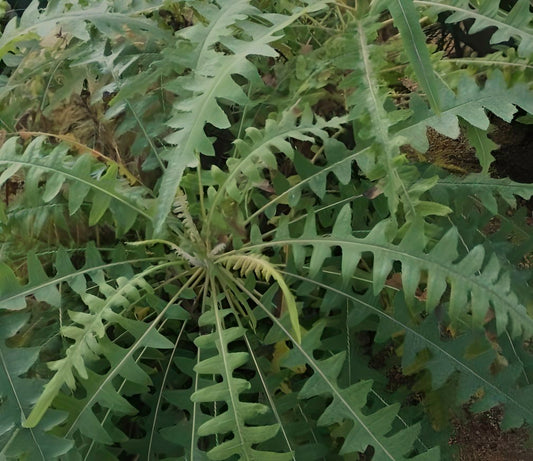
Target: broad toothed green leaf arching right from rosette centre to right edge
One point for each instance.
(477, 283)
